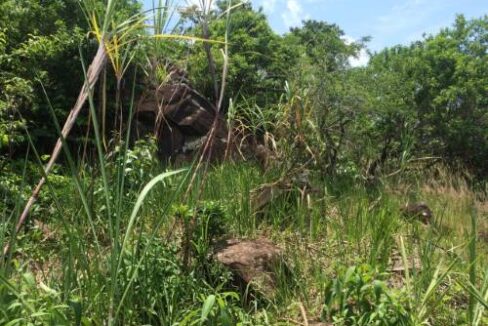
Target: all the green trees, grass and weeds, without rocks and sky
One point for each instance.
(116, 237)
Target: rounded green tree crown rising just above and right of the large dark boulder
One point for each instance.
(257, 66)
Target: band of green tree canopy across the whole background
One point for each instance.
(424, 100)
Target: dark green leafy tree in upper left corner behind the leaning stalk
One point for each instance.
(40, 44)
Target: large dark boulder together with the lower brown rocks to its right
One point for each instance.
(185, 123)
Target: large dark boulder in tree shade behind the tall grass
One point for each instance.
(179, 117)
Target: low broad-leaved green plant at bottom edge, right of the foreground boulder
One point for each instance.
(360, 296)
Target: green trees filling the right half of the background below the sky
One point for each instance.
(423, 101)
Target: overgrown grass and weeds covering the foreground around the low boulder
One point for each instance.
(346, 250)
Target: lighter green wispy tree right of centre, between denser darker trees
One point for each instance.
(322, 78)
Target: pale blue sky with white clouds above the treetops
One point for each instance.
(387, 22)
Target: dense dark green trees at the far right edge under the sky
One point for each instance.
(435, 91)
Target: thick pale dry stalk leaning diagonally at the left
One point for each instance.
(92, 76)
